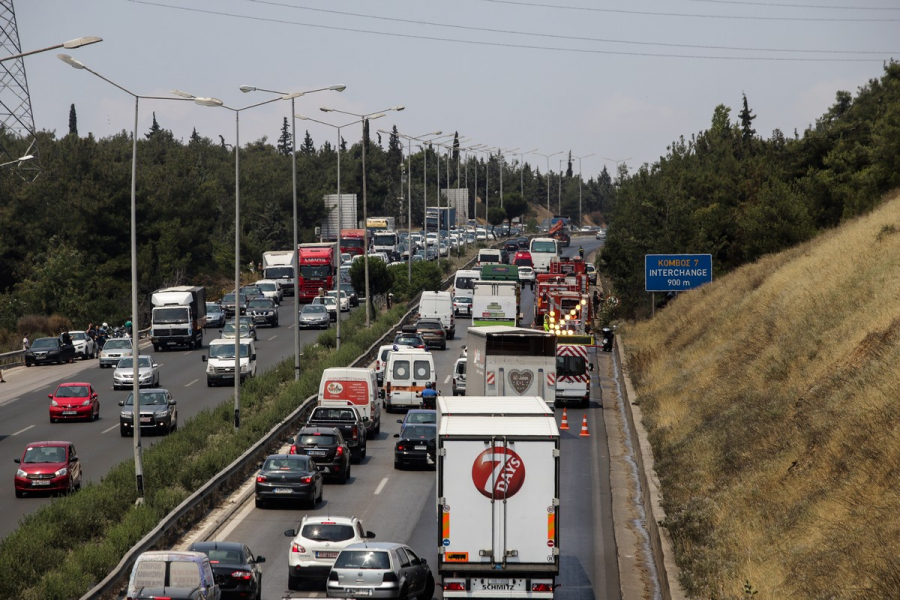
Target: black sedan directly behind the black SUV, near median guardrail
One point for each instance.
(289, 477)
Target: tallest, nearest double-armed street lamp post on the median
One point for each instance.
(135, 390)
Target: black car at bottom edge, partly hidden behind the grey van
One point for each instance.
(235, 568)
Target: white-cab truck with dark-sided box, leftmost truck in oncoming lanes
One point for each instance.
(179, 316)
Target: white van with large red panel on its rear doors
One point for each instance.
(356, 387)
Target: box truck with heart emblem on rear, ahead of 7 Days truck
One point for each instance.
(511, 361)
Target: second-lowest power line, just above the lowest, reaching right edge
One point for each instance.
(561, 37)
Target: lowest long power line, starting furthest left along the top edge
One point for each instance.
(498, 44)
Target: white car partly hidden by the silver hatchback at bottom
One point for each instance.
(317, 543)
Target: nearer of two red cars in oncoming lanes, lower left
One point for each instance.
(48, 467)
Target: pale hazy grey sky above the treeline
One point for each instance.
(619, 79)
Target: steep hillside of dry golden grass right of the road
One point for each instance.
(772, 397)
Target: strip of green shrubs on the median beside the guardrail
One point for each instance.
(63, 549)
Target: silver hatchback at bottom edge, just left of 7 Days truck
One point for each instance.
(379, 570)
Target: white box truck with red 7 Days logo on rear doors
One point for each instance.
(498, 501)
